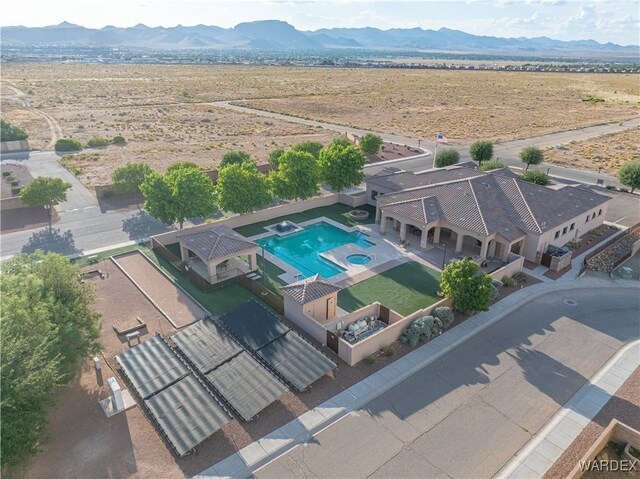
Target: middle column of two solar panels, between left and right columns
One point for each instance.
(237, 376)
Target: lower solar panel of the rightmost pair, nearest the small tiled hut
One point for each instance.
(296, 360)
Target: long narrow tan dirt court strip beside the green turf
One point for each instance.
(174, 302)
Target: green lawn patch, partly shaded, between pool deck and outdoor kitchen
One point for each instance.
(405, 289)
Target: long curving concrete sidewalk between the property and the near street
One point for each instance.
(301, 430)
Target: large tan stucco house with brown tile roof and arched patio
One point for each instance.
(488, 215)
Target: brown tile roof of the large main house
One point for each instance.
(491, 203)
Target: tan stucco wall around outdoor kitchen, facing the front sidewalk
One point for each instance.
(352, 354)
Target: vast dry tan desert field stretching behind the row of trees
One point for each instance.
(162, 109)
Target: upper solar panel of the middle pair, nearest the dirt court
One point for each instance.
(206, 344)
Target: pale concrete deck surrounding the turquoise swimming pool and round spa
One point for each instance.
(384, 253)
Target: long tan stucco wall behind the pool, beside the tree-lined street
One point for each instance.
(258, 216)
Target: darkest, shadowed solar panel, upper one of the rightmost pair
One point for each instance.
(254, 324)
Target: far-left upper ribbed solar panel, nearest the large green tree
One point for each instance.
(151, 366)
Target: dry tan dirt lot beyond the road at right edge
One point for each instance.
(609, 152)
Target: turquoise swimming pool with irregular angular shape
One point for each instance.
(302, 249)
